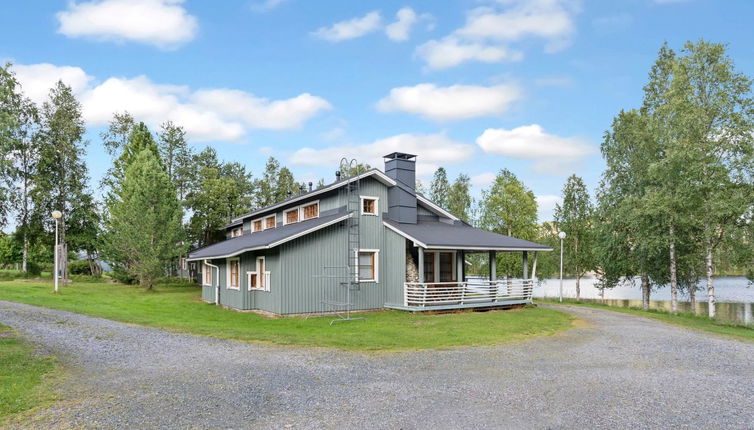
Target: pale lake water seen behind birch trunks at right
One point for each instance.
(735, 296)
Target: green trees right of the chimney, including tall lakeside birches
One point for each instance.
(675, 204)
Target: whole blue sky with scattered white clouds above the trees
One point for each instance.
(471, 85)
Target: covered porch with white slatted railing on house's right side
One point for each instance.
(441, 281)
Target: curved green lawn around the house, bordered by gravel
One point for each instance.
(179, 308)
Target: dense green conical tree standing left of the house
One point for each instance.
(144, 230)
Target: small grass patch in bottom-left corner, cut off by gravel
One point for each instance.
(22, 375)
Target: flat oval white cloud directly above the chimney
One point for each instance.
(455, 102)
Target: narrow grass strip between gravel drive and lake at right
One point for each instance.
(685, 319)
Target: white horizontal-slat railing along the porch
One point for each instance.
(473, 292)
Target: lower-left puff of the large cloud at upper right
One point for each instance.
(451, 51)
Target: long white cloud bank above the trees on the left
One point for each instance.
(206, 114)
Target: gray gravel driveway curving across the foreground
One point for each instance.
(613, 371)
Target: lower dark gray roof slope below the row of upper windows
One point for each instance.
(268, 238)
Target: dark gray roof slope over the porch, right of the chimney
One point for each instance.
(437, 234)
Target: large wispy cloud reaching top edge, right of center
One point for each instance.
(490, 30)
